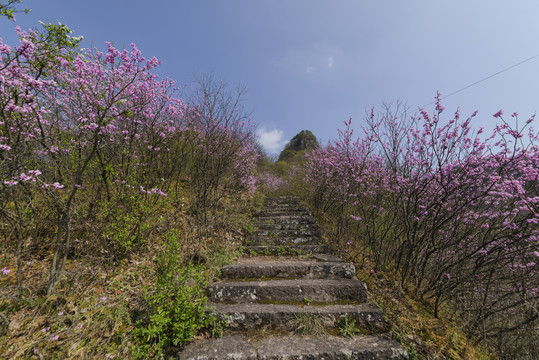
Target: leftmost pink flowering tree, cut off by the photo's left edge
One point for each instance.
(23, 78)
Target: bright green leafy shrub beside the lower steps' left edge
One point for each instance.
(176, 304)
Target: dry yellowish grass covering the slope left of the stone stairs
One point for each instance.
(92, 314)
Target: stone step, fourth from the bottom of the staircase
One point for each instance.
(262, 267)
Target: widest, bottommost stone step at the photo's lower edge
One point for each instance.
(295, 347)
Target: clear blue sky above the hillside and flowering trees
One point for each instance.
(311, 64)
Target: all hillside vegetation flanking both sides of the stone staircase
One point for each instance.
(121, 197)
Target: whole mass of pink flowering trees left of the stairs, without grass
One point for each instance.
(91, 137)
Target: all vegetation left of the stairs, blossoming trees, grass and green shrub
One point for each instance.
(118, 199)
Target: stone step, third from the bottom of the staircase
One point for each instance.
(296, 290)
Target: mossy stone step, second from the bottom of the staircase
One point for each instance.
(263, 317)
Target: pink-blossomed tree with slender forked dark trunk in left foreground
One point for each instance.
(64, 113)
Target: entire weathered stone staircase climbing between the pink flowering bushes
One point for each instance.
(288, 288)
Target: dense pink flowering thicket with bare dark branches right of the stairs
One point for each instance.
(454, 213)
